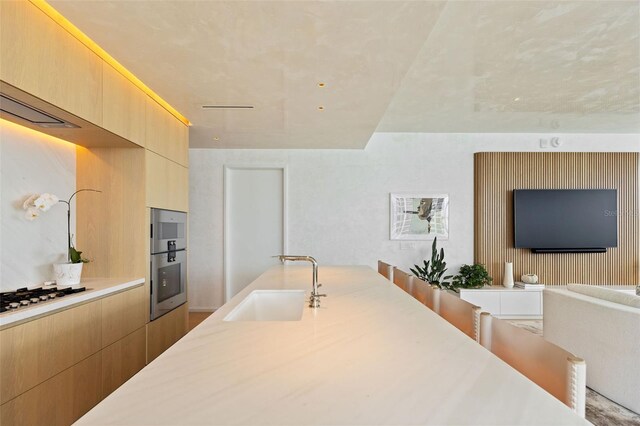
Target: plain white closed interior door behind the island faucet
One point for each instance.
(254, 218)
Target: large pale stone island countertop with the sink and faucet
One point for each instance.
(370, 355)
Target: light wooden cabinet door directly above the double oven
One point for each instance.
(167, 183)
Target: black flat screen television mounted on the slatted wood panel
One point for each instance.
(565, 220)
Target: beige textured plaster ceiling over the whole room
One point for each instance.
(389, 66)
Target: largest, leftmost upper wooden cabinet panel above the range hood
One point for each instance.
(41, 58)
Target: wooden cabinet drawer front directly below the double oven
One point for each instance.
(166, 330)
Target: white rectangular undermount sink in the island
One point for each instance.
(269, 305)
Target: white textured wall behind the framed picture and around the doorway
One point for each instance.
(338, 200)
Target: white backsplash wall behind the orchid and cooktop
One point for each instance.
(30, 163)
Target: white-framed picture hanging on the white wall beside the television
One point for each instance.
(419, 216)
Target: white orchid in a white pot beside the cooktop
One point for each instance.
(66, 274)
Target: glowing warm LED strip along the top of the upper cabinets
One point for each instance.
(95, 48)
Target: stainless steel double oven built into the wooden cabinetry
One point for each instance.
(168, 261)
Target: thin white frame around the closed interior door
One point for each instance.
(226, 207)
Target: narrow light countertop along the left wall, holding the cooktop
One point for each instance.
(96, 288)
